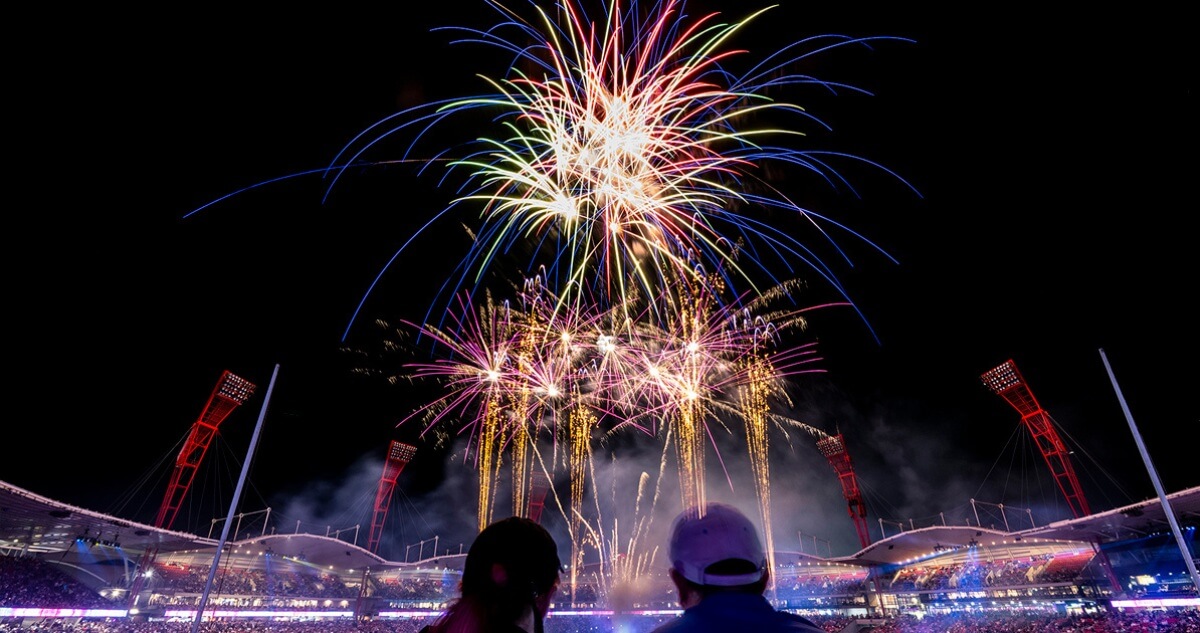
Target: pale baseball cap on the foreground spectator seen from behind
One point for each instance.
(716, 533)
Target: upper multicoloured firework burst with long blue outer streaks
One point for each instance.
(631, 154)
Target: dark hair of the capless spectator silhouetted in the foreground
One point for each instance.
(529, 556)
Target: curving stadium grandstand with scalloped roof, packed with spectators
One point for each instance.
(80, 568)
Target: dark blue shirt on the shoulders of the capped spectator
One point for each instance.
(725, 613)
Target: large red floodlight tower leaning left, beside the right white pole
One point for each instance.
(1007, 383)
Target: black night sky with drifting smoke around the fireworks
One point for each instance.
(1052, 153)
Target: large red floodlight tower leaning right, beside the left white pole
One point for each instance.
(231, 393)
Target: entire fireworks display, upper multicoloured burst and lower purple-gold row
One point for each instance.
(628, 160)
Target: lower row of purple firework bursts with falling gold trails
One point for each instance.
(512, 370)
